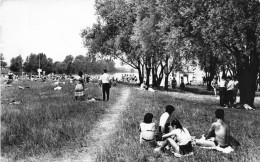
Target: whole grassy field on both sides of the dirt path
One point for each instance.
(49, 121)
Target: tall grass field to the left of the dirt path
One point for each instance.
(47, 121)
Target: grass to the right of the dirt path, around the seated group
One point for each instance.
(195, 115)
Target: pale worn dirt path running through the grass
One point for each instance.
(99, 137)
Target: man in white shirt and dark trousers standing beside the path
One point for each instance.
(105, 81)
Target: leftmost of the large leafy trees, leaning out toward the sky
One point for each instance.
(113, 37)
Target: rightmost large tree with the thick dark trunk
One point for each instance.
(232, 28)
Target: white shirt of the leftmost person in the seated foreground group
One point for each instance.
(147, 130)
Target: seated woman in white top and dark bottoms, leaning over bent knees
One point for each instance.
(178, 138)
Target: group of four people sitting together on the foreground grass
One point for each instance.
(178, 139)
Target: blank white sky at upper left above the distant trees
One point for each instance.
(44, 26)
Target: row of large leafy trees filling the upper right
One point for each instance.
(157, 37)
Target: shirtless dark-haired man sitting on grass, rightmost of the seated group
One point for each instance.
(218, 134)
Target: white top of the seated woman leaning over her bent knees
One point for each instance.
(182, 136)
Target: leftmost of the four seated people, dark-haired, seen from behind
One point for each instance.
(147, 130)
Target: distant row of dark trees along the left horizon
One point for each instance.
(69, 65)
